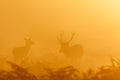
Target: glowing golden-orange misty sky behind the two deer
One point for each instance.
(96, 24)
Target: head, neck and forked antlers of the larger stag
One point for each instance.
(65, 45)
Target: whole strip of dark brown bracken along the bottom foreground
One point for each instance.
(110, 72)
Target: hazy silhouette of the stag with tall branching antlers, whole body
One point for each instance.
(72, 52)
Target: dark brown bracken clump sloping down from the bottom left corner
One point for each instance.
(16, 73)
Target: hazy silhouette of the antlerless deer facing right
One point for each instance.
(20, 53)
